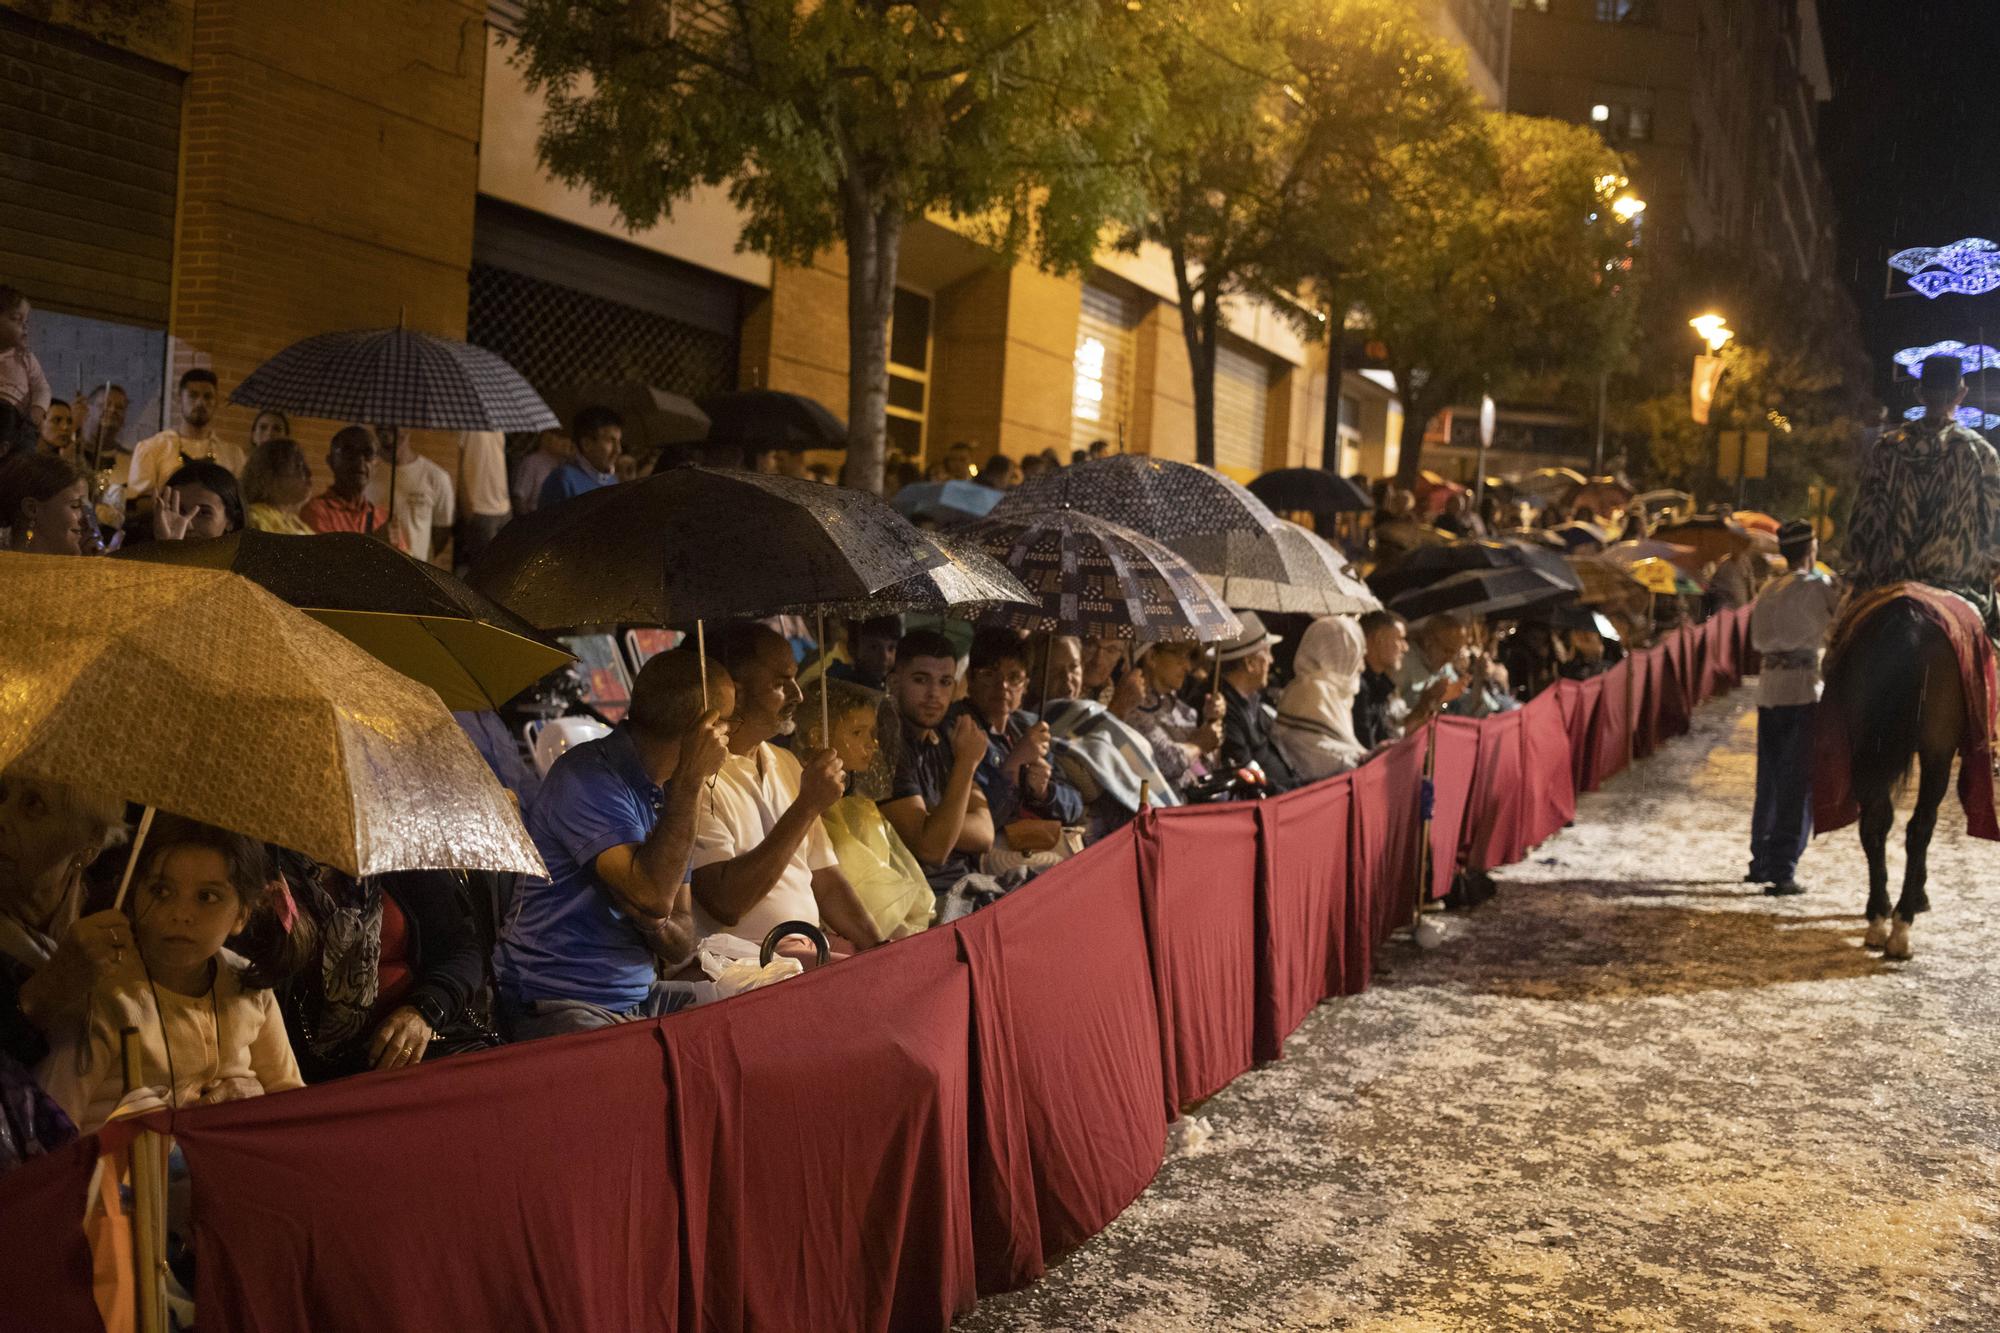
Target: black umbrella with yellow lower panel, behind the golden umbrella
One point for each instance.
(411, 615)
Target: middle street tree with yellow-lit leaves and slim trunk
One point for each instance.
(1283, 123)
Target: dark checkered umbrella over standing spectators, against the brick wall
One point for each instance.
(397, 377)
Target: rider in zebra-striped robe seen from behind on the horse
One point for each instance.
(1929, 501)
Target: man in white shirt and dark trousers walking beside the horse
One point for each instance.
(1789, 629)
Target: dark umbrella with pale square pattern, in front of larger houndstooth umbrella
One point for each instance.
(1101, 579)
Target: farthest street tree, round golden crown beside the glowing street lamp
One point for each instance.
(1501, 273)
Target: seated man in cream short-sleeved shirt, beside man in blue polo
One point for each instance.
(761, 852)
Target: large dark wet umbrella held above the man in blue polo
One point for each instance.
(699, 545)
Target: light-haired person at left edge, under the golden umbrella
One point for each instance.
(49, 838)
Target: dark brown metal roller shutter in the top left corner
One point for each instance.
(89, 167)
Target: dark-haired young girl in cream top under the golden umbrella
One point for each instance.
(209, 1028)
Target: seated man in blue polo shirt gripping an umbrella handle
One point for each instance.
(615, 826)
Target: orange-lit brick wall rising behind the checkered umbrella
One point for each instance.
(329, 175)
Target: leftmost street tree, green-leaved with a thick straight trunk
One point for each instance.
(843, 123)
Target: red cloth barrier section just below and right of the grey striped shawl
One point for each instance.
(1199, 882)
